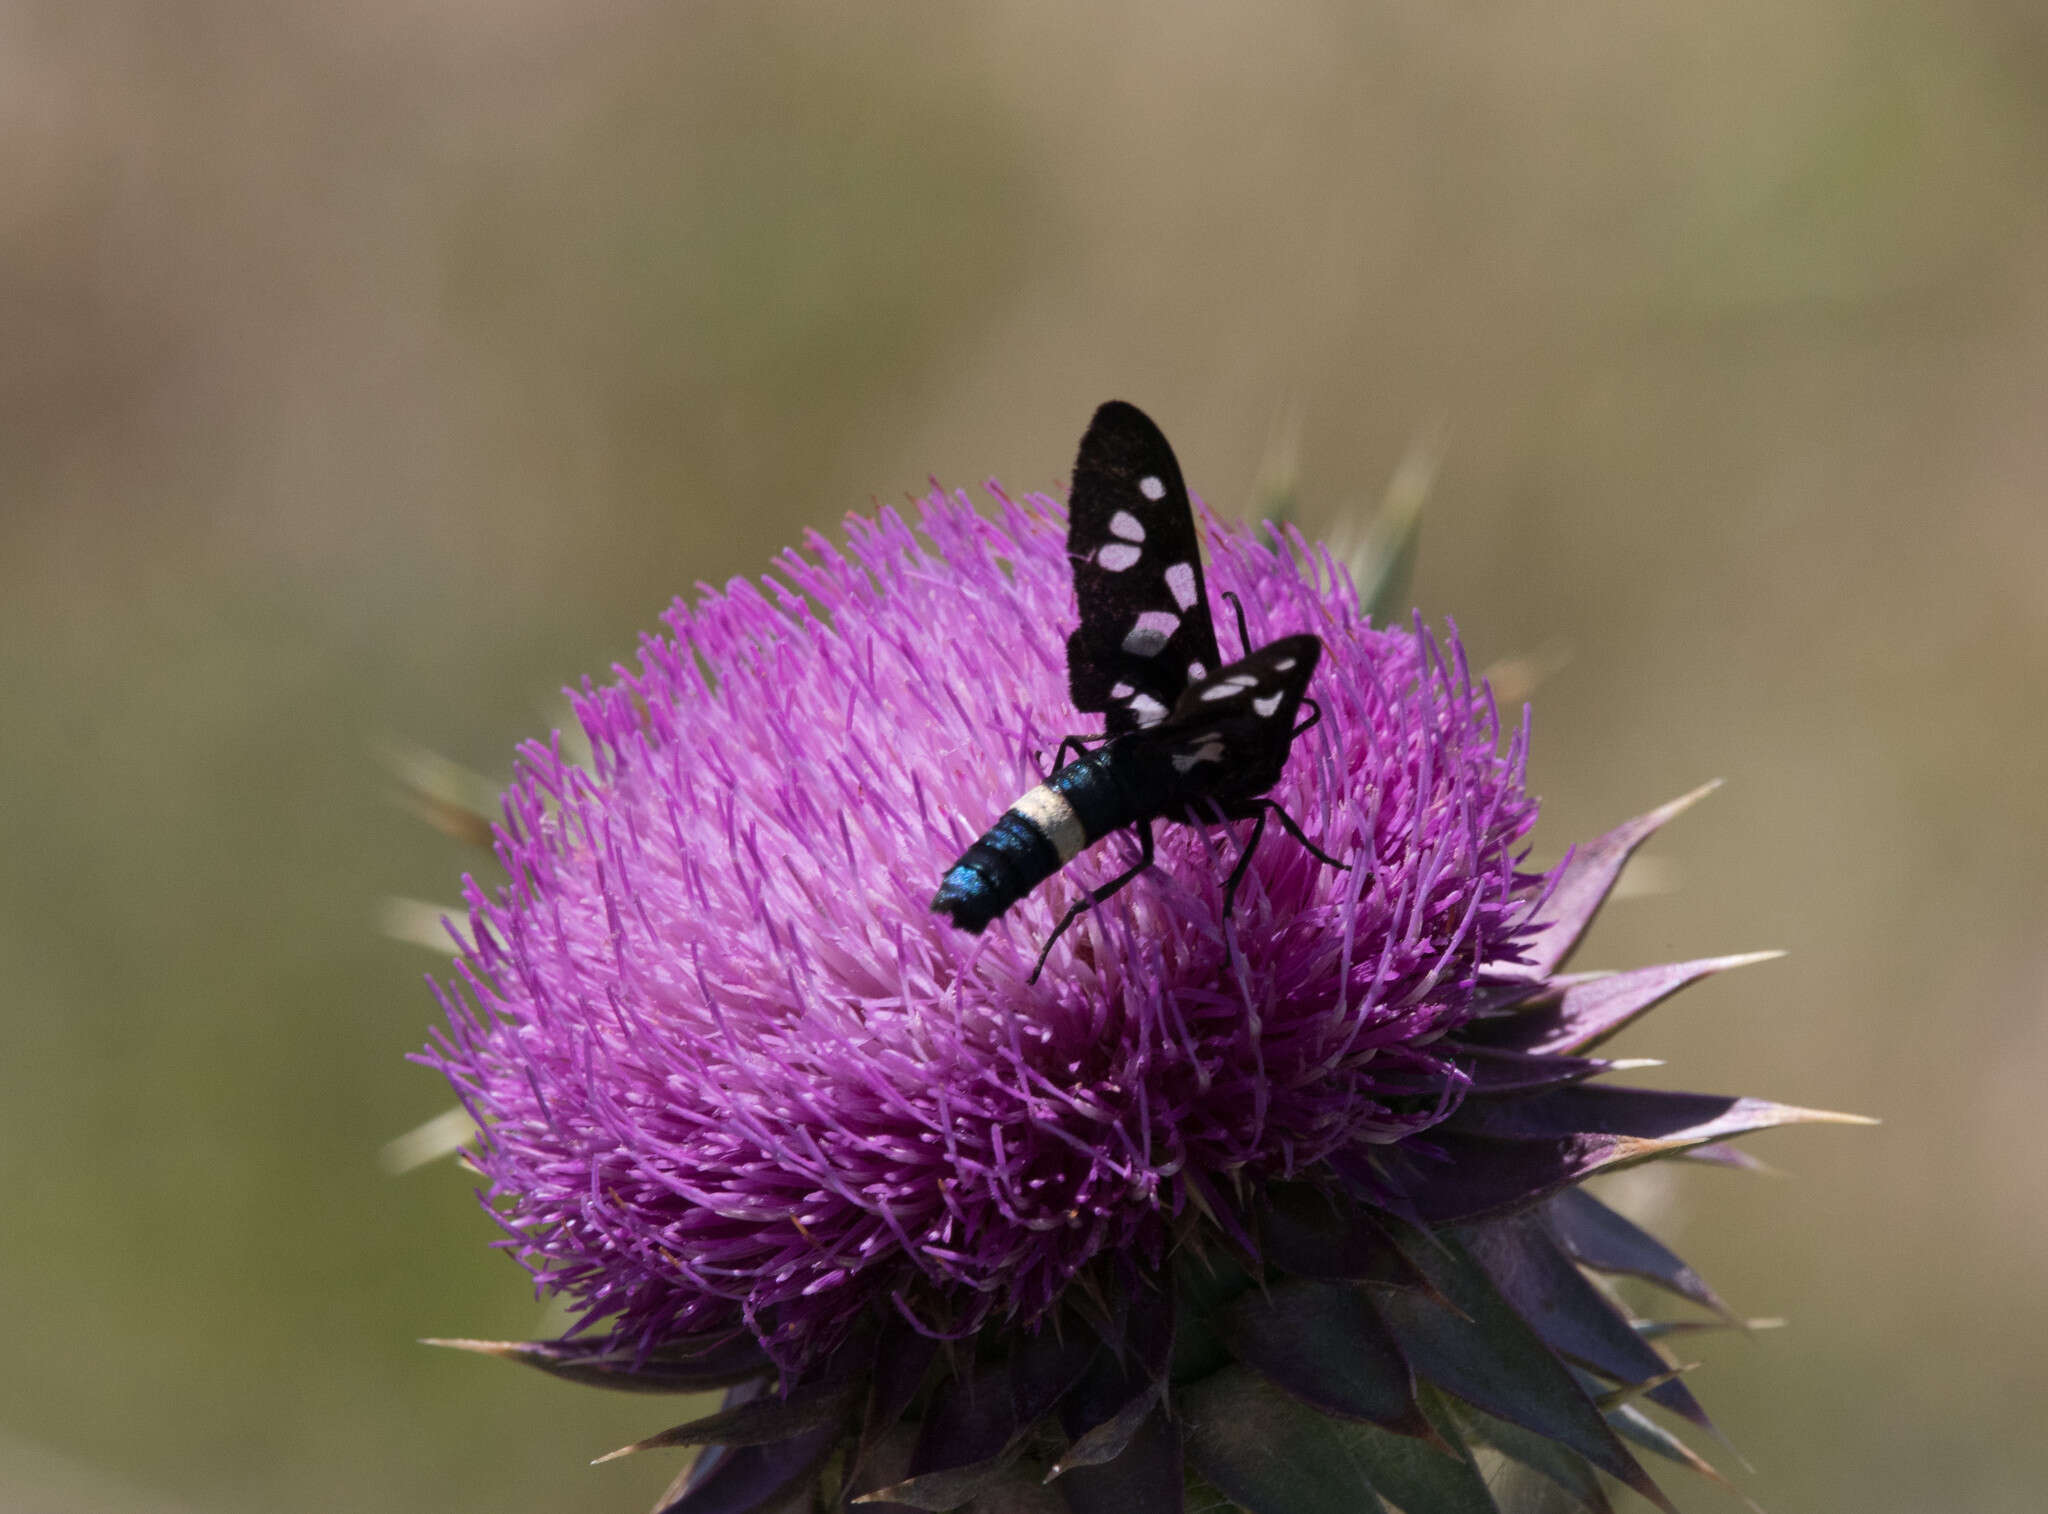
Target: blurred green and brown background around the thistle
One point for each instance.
(372, 372)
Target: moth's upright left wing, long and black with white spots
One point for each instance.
(1146, 632)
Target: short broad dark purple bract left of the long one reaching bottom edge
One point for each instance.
(1326, 1345)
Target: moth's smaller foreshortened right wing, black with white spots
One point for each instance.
(1230, 734)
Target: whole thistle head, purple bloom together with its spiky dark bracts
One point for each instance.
(1281, 1202)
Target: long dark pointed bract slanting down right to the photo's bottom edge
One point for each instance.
(1494, 1359)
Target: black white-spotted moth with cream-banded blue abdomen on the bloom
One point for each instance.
(1187, 737)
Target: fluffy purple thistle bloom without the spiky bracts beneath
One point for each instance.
(734, 1070)
